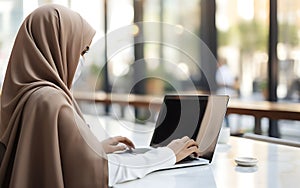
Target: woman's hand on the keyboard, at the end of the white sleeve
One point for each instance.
(184, 147)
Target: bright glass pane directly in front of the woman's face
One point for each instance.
(91, 77)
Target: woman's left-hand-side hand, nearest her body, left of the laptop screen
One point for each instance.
(112, 144)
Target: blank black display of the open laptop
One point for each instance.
(179, 116)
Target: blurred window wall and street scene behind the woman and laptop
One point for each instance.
(253, 47)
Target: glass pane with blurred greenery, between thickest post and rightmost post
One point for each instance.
(242, 42)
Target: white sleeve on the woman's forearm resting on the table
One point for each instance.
(125, 167)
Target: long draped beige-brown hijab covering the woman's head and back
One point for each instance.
(44, 141)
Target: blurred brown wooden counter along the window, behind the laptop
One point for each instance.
(257, 109)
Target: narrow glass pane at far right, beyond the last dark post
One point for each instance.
(288, 50)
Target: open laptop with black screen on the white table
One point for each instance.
(198, 116)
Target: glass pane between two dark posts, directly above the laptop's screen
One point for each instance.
(171, 60)
